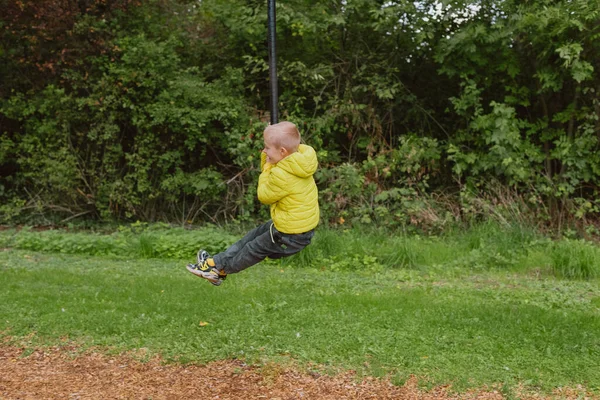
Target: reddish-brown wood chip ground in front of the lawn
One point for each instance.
(54, 374)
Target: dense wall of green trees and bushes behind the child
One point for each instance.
(424, 113)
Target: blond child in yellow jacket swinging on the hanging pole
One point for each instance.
(287, 185)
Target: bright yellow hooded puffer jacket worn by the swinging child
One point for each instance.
(290, 189)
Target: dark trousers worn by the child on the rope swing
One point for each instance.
(258, 244)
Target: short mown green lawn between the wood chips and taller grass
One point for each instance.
(444, 325)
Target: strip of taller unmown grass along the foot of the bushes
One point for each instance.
(479, 247)
